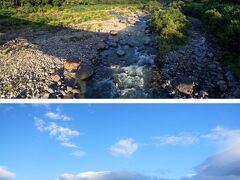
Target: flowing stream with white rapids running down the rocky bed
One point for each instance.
(130, 74)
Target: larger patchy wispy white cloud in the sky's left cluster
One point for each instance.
(61, 133)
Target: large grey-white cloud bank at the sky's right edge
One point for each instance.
(224, 165)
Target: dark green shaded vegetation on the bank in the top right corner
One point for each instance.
(222, 19)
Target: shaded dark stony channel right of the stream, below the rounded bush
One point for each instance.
(194, 70)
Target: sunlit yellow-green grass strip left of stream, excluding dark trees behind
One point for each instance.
(35, 16)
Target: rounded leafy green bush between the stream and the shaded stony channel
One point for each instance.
(172, 27)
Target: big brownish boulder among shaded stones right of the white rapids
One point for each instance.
(185, 85)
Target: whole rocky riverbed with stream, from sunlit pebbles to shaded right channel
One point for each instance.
(117, 58)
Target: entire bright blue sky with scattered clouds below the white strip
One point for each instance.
(128, 141)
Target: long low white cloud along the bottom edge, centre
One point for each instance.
(107, 175)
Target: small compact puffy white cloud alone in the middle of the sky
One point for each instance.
(124, 147)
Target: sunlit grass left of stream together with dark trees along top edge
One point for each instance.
(16, 14)
